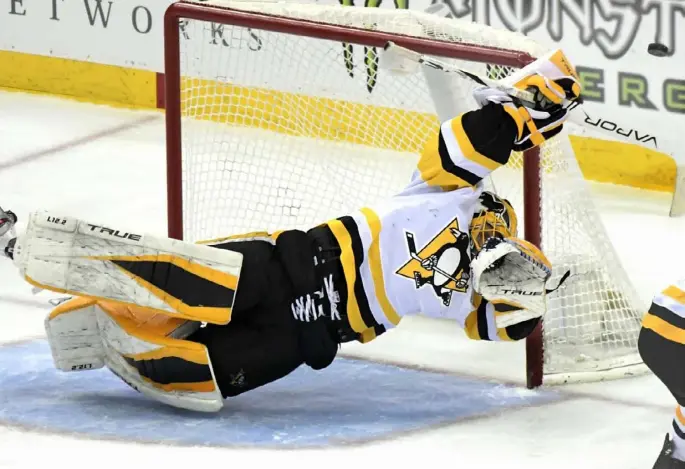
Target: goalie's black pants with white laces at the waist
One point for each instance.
(282, 275)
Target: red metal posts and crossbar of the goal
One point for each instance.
(464, 51)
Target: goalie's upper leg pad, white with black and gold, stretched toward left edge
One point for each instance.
(179, 279)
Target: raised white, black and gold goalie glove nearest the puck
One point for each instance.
(556, 90)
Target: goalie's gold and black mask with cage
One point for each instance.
(493, 217)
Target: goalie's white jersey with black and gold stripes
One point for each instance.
(410, 254)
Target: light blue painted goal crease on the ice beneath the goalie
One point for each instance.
(351, 401)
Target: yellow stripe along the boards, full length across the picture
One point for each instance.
(600, 160)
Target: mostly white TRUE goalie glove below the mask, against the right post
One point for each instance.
(514, 271)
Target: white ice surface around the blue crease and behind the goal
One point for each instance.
(120, 178)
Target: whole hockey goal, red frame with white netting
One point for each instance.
(278, 116)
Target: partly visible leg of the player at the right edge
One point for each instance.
(662, 347)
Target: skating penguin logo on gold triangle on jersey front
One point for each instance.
(443, 263)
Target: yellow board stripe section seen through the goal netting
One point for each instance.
(302, 115)
